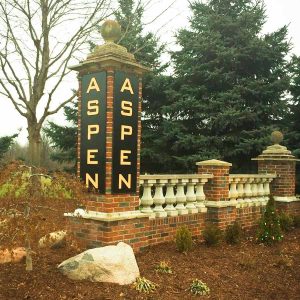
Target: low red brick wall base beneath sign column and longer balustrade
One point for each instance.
(139, 233)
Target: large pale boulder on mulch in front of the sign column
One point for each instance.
(116, 264)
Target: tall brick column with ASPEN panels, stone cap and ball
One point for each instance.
(109, 137)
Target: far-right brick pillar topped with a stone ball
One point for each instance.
(278, 159)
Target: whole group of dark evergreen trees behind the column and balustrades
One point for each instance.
(231, 85)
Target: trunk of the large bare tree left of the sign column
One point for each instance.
(34, 143)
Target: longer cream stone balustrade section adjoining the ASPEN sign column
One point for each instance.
(173, 195)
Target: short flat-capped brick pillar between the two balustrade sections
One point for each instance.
(220, 210)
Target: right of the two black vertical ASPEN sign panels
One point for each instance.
(125, 130)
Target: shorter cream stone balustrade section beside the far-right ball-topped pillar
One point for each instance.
(250, 190)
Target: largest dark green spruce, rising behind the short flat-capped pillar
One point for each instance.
(230, 81)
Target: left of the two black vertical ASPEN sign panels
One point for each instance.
(93, 131)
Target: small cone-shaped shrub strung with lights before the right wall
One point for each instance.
(269, 230)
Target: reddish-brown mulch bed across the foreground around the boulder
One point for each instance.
(245, 271)
